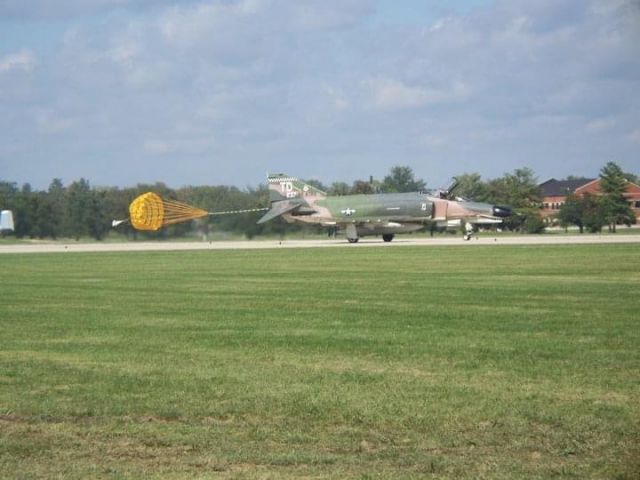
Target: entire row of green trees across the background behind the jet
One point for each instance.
(79, 210)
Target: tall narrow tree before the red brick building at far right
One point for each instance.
(613, 184)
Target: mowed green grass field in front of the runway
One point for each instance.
(444, 362)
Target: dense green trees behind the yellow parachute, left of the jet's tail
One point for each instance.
(80, 210)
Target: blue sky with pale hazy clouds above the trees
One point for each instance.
(220, 92)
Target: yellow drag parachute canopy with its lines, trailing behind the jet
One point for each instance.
(150, 212)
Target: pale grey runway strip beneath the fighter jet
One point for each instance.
(398, 242)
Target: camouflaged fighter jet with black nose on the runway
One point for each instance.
(375, 214)
